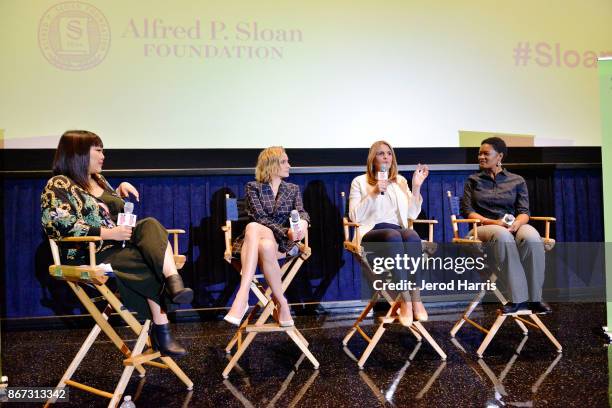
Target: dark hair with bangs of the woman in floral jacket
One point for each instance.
(72, 155)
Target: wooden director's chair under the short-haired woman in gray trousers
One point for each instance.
(476, 245)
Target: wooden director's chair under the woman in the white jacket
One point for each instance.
(392, 316)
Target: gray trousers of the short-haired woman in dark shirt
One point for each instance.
(520, 259)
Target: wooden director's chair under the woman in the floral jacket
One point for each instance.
(96, 276)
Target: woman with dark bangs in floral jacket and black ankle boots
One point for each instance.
(78, 201)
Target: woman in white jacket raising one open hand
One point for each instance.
(382, 207)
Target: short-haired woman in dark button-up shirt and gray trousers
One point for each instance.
(499, 199)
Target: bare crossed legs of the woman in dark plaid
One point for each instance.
(260, 247)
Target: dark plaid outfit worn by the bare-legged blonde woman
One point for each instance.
(273, 212)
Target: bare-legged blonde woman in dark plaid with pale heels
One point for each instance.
(268, 238)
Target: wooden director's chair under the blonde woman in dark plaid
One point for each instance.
(251, 326)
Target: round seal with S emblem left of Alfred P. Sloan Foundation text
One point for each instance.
(74, 36)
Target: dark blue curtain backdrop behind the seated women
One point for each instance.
(196, 204)
